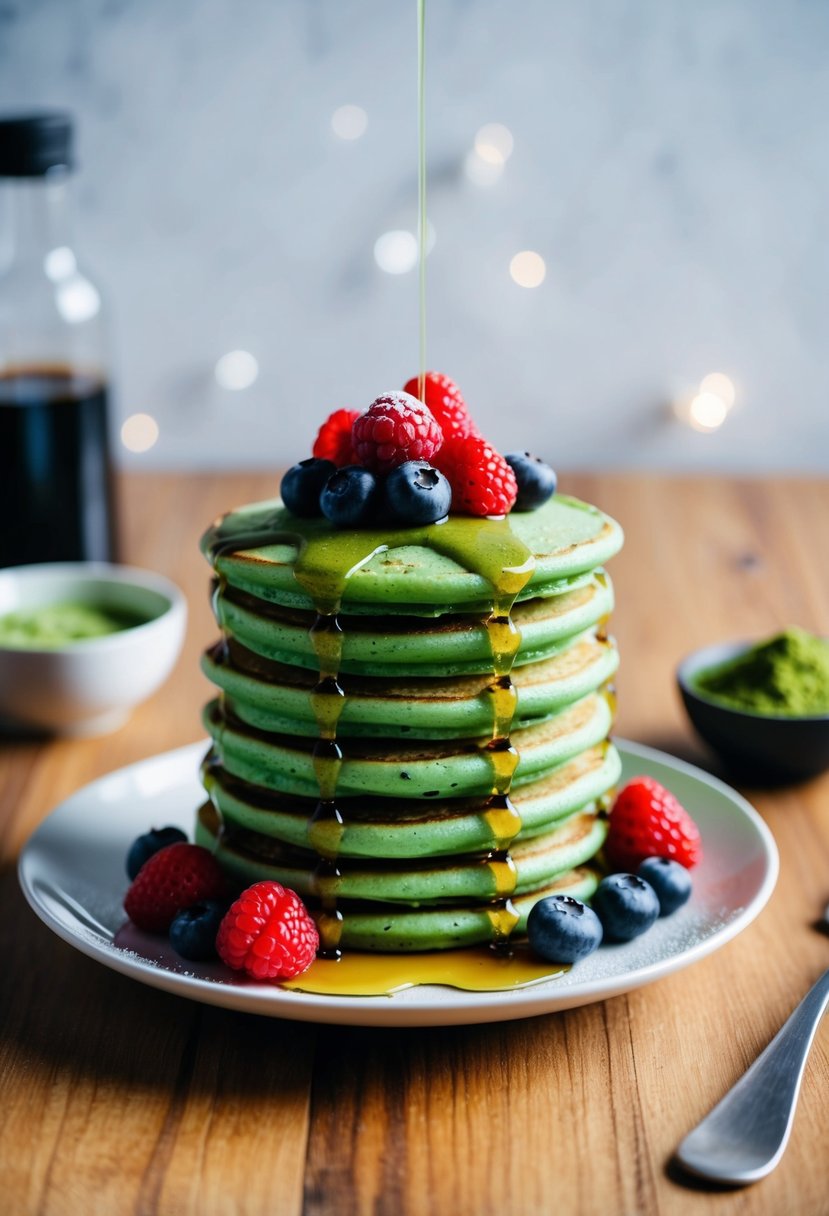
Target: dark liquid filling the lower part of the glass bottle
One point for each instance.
(57, 486)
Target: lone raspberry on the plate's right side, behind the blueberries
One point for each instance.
(647, 821)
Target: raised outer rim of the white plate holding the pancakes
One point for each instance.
(458, 1007)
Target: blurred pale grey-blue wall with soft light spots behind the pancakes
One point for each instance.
(669, 164)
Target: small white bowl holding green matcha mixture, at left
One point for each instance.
(91, 686)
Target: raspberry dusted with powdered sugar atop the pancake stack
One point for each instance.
(396, 429)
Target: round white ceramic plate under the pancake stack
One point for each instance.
(72, 872)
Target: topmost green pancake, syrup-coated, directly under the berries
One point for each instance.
(447, 567)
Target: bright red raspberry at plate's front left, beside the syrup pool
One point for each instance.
(268, 933)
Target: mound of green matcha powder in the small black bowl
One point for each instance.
(786, 677)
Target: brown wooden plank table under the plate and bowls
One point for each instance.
(119, 1099)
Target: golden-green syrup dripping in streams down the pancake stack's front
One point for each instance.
(325, 564)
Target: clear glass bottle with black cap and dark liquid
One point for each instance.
(57, 477)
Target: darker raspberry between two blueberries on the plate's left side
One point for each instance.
(174, 879)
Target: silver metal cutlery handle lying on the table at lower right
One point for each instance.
(746, 1135)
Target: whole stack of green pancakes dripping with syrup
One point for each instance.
(413, 727)
